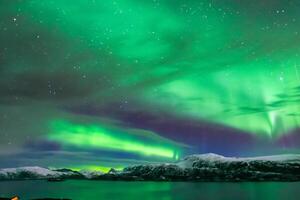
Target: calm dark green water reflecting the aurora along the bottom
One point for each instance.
(83, 189)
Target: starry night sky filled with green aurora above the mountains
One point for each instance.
(97, 84)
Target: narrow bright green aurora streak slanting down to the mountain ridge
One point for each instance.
(91, 136)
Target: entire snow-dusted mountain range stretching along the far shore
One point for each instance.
(203, 167)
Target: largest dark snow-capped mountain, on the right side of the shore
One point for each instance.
(213, 167)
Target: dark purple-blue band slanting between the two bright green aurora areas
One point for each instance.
(202, 136)
